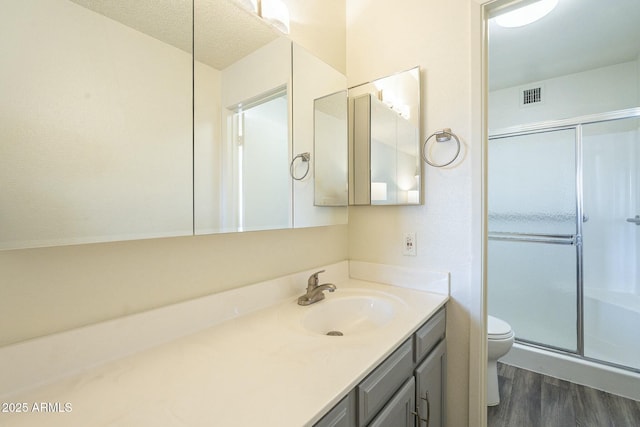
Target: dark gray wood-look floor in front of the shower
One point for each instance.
(529, 399)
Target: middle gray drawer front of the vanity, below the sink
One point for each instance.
(382, 383)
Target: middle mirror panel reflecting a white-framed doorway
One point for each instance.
(242, 116)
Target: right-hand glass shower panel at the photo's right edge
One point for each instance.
(611, 158)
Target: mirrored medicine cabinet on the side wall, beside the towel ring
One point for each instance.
(384, 141)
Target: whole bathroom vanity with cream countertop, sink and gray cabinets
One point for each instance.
(249, 356)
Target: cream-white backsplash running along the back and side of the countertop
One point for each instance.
(51, 358)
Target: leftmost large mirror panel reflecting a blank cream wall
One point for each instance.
(95, 121)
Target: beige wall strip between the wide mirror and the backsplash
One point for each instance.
(47, 290)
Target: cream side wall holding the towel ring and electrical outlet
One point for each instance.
(387, 37)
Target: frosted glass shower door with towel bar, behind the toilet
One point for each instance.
(533, 236)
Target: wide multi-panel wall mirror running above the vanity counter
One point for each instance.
(129, 120)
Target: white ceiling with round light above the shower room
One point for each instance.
(578, 35)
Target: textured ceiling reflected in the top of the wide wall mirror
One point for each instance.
(224, 32)
